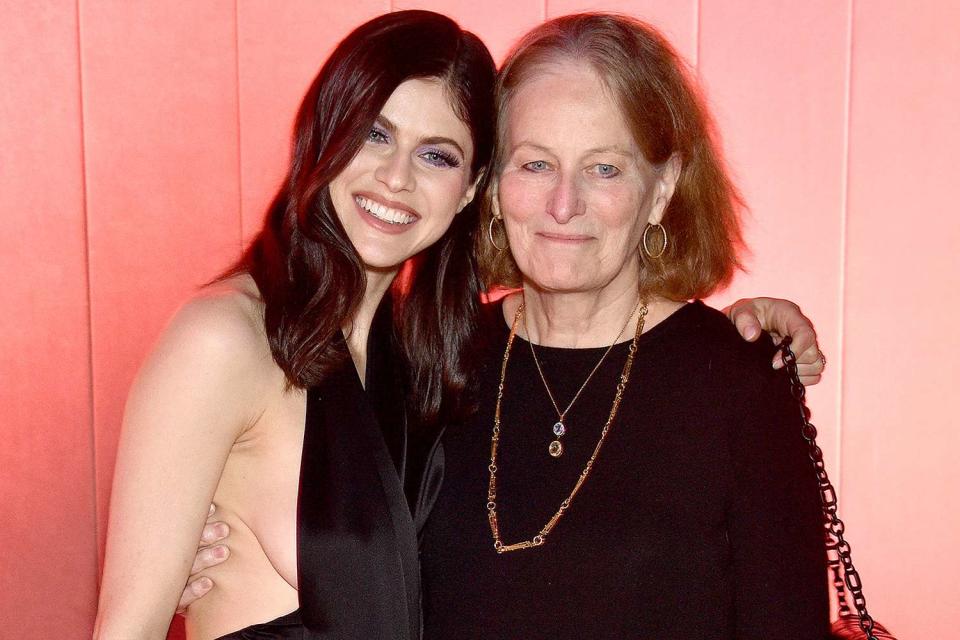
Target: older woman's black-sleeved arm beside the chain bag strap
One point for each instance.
(775, 519)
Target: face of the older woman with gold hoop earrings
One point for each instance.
(574, 188)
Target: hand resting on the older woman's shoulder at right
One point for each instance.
(781, 318)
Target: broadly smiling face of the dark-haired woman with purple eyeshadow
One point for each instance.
(400, 192)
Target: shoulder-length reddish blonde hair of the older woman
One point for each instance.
(662, 106)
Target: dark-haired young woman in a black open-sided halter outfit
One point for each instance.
(298, 354)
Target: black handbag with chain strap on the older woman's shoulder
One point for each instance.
(850, 625)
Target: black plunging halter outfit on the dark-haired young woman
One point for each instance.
(356, 538)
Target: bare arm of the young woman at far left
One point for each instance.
(190, 402)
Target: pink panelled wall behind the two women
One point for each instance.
(140, 143)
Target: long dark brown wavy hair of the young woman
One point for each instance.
(310, 277)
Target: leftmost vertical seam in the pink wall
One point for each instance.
(85, 215)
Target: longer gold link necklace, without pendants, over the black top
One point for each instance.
(541, 537)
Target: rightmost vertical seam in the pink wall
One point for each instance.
(844, 242)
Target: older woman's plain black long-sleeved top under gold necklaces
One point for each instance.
(700, 519)
